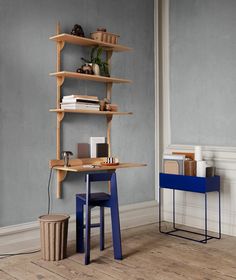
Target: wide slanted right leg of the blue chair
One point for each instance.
(115, 219)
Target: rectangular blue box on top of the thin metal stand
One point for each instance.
(190, 183)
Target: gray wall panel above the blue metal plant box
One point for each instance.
(202, 72)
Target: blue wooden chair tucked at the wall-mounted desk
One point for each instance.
(90, 200)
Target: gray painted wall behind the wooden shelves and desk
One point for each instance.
(28, 130)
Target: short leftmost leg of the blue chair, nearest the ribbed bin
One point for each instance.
(79, 227)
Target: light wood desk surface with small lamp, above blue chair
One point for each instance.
(88, 167)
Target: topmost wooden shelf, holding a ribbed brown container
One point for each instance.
(87, 42)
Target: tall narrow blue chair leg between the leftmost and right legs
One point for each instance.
(88, 222)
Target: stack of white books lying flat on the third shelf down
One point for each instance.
(80, 102)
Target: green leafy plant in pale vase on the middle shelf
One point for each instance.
(99, 67)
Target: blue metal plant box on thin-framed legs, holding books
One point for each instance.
(189, 184)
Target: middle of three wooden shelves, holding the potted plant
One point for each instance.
(102, 79)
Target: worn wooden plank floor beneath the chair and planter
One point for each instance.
(147, 255)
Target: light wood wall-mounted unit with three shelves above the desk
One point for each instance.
(61, 75)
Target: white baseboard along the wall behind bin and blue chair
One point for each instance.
(24, 237)
